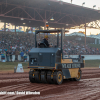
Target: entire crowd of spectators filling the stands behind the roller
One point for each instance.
(21, 44)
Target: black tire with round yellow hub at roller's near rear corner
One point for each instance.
(58, 77)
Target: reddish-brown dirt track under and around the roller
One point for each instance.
(88, 88)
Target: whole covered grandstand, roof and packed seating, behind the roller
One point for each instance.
(37, 13)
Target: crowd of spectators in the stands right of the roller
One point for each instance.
(75, 48)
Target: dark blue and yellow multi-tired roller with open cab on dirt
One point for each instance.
(48, 65)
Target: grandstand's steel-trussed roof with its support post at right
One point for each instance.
(41, 15)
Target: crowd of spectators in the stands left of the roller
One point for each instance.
(15, 44)
